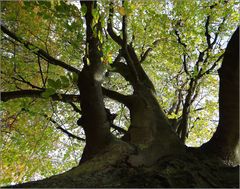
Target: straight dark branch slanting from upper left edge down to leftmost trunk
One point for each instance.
(38, 51)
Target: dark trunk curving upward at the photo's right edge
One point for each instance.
(225, 141)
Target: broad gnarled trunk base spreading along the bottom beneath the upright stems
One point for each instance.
(111, 169)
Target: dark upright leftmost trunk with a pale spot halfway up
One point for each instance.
(94, 118)
